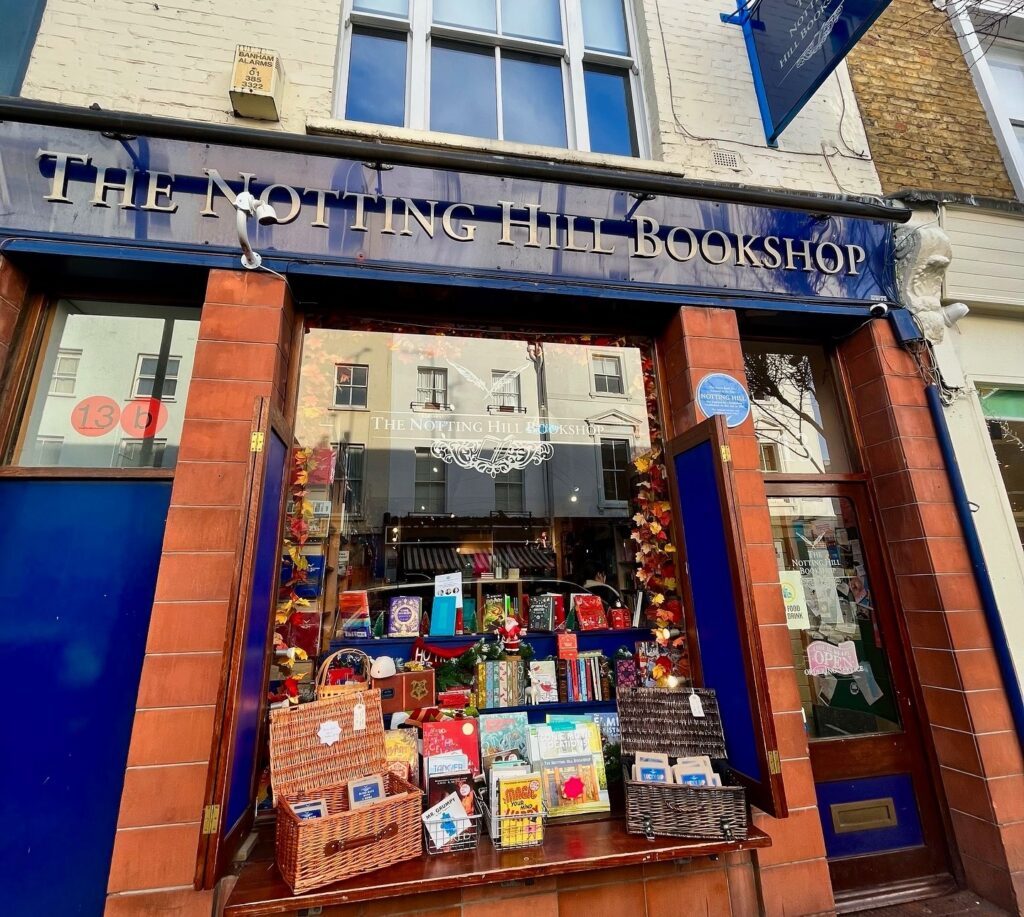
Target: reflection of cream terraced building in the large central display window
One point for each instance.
(502, 442)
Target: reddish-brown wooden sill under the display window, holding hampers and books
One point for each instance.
(568, 849)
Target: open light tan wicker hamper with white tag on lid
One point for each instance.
(316, 750)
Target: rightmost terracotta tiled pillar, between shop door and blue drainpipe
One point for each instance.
(978, 753)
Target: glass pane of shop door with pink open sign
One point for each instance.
(838, 651)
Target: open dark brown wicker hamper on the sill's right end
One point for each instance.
(661, 721)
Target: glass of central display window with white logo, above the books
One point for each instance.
(486, 457)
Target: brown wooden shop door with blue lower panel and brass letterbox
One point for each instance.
(882, 823)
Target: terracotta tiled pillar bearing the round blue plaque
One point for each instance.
(793, 875)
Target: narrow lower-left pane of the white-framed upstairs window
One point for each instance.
(377, 78)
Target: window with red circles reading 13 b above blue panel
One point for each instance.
(112, 385)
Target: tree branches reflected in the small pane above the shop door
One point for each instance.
(783, 384)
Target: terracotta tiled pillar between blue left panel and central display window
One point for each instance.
(242, 355)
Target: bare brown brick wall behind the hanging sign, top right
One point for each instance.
(926, 125)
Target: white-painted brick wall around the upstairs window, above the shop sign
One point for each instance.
(175, 59)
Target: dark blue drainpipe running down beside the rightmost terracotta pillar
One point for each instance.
(978, 566)
